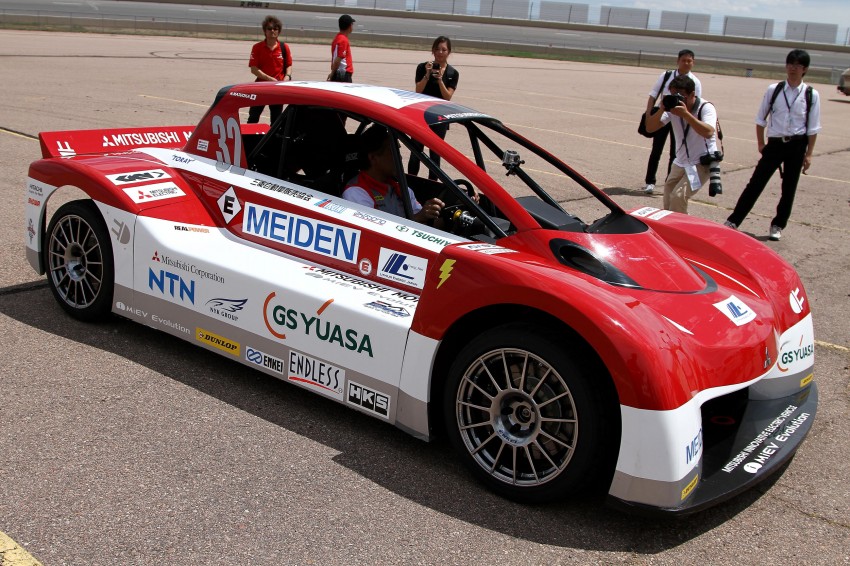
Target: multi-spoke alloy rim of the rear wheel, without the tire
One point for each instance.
(75, 261)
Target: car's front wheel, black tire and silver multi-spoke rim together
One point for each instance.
(530, 439)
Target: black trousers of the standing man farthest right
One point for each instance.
(790, 155)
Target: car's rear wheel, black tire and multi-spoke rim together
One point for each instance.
(79, 263)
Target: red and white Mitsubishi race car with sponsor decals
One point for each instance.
(560, 342)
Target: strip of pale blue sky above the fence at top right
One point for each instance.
(819, 11)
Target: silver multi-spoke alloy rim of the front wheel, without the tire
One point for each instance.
(517, 417)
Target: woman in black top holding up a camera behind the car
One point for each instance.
(438, 79)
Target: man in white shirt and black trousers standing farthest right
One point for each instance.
(790, 113)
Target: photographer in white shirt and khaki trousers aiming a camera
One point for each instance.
(694, 123)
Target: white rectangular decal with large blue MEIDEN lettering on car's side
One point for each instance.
(310, 234)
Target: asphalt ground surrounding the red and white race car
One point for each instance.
(122, 445)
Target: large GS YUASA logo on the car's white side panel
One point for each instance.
(279, 319)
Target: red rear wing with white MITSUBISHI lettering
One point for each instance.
(80, 142)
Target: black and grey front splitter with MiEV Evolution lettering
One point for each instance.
(743, 442)
